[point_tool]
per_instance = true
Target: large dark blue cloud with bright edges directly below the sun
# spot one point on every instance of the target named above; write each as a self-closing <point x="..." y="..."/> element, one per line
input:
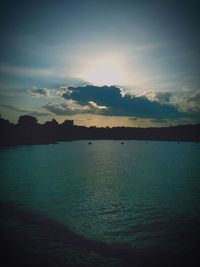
<point x="127" y="105"/>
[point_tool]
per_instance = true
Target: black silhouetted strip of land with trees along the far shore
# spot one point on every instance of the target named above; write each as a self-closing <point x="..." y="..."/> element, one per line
<point x="28" y="131"/>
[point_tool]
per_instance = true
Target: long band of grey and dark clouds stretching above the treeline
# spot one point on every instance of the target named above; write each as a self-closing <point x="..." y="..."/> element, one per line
<point x="112" y="101"/>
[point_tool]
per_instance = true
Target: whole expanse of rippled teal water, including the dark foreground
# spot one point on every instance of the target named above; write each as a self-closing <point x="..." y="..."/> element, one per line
<point x="108" y="203"/>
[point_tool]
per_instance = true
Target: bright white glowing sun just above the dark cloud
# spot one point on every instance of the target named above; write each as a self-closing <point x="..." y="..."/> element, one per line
<point x="103" y="71"/>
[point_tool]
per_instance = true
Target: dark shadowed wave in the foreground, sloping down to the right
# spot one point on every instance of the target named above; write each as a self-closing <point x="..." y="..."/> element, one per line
<point x="32" y="239"/>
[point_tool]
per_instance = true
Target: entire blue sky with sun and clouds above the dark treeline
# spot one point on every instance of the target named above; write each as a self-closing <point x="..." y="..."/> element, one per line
<point x="101" y="62"/>
